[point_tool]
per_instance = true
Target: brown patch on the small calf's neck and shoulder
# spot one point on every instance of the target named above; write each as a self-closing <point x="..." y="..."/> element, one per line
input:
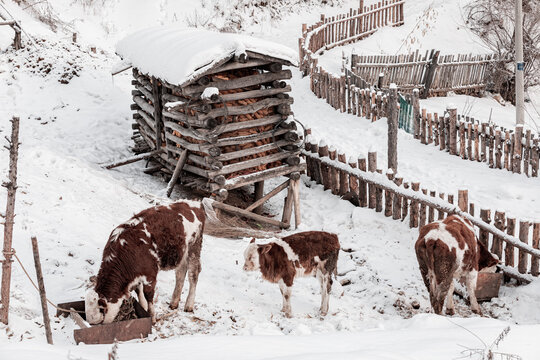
<point x="275" y="264"/>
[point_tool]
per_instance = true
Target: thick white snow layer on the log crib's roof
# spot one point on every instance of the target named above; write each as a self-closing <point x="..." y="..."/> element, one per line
<point x="178" y="55"/>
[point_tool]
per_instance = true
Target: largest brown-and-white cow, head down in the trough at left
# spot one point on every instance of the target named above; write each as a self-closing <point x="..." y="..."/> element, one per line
<point x="159" y="238"/>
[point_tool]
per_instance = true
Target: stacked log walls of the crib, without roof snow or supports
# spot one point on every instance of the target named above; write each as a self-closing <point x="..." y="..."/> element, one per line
<point x="234" y="121"/>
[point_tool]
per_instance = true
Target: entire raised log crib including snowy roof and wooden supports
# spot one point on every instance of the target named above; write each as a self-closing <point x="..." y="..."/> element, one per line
<point x="214" y="111"/>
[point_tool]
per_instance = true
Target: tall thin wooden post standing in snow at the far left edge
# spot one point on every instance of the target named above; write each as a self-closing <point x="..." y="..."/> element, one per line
<point x="7" y="252"/>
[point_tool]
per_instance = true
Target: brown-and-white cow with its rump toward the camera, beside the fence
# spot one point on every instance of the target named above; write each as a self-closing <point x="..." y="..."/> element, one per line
<point x="446" y="250"/>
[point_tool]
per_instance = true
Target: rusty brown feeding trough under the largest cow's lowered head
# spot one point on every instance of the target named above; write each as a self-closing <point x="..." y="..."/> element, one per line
<point x="108" y="333"/>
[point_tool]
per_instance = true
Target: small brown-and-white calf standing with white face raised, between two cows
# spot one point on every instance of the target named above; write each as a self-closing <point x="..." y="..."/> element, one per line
<point x="311" y="253"/>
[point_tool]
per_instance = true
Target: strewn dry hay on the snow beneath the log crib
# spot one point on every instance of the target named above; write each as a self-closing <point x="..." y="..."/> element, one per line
<point x="230" y="227"/>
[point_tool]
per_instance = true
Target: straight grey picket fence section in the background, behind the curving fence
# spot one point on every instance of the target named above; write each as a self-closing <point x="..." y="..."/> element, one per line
<point x="435" y="75"/>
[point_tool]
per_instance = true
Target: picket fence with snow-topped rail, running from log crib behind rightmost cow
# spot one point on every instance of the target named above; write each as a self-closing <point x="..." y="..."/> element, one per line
<point x="360" y="181"/>
